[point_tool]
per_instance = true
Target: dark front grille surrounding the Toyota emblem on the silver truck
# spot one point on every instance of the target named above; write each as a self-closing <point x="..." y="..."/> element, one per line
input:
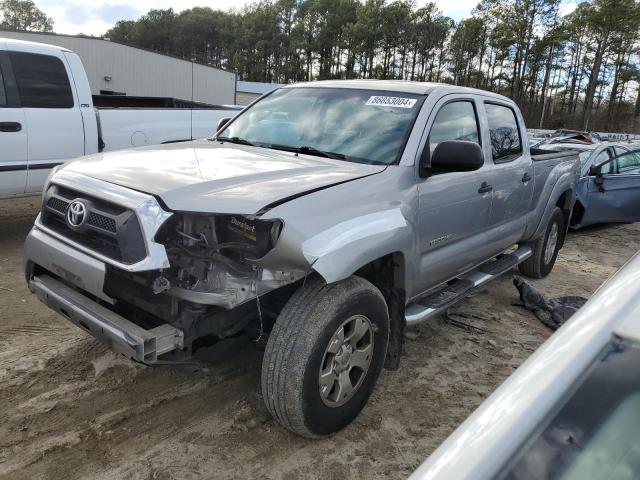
<point x="109" y="229"/>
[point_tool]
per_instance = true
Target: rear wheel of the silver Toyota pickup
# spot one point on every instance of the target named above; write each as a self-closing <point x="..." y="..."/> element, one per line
<point x="546" y="248"/>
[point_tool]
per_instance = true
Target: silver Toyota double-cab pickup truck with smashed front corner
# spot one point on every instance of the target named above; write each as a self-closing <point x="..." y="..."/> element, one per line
<point x="321" y="222"/>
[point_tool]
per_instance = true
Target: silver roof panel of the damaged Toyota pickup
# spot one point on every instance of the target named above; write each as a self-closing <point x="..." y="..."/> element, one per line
<point x="407" y="86"/>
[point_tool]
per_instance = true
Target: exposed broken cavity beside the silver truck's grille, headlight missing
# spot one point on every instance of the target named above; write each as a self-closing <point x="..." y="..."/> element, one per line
<point x="215" y="286"/>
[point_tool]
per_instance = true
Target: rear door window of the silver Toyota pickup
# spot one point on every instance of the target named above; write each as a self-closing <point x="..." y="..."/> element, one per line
<point x="506" y="144"/>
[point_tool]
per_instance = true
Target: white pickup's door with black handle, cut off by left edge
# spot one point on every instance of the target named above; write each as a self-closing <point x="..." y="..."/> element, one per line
<point x="13" y="133"/>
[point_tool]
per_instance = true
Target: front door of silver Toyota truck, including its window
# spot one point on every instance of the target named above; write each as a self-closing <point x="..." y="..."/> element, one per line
<point x="454" y="207"/>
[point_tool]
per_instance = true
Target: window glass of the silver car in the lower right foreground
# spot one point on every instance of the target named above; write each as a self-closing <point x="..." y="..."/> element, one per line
<point x="595" y="433"/>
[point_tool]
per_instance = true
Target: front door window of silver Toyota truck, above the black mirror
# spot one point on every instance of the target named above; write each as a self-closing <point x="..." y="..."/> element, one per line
<point x="454" y="121"/>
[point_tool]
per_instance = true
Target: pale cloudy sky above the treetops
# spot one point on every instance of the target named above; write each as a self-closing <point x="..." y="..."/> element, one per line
<point x="94" y="17"/>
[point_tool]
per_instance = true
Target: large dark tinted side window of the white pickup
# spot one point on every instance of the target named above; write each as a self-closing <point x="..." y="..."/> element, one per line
<point x="42" y="81"/>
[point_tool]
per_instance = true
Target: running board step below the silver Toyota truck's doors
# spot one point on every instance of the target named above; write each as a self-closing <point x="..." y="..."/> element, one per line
<point x="434" y="303"/>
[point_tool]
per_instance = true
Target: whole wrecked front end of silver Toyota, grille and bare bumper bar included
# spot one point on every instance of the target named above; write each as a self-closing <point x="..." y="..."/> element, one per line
<point x="151" y="282"/>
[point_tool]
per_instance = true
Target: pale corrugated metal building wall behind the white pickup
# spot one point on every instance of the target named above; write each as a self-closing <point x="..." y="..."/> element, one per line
<point x="139" y="72"/>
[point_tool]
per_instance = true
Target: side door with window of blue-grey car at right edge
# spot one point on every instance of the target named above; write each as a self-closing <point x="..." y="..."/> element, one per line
<point x="613" y="194"/>
